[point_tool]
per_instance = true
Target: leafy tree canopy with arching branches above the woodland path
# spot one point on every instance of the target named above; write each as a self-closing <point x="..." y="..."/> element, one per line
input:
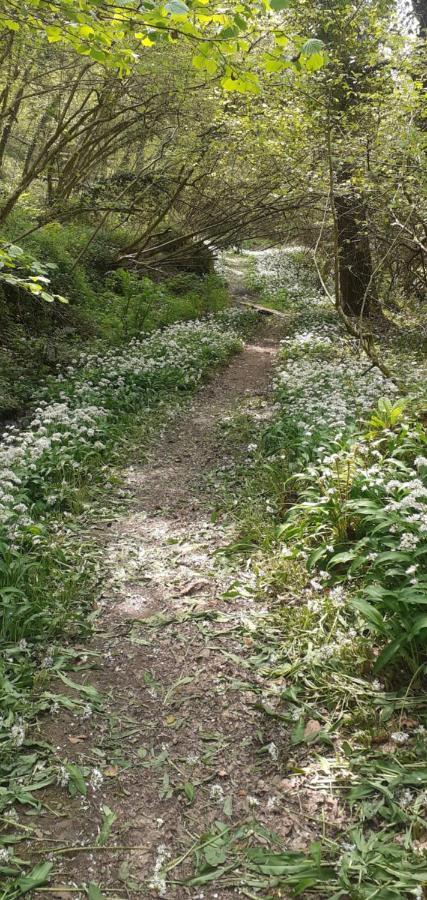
<point x="204" y="123"/>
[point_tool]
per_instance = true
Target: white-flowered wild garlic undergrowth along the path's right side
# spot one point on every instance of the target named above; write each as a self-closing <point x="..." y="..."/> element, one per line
<point x="332" y="517"/>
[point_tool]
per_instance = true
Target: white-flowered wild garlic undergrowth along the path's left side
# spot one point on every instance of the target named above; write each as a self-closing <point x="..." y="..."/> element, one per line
<point x="54" y="470"/>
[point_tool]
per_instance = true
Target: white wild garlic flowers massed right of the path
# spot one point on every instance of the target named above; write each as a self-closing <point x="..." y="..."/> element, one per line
<point x="328" y="390"/>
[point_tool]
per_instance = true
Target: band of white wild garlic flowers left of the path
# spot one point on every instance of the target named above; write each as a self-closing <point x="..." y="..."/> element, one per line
<point x="70" y="424"/>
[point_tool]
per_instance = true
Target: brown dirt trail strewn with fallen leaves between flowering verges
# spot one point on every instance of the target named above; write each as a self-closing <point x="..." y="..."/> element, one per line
<point x="179" y="747"/>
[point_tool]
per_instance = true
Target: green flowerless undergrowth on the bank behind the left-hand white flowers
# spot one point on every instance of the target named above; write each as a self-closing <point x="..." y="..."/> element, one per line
<point x="106" y="306"/>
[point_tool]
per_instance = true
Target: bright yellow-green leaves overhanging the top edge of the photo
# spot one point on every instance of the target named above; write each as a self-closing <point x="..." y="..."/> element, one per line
<point x="114" y="35"/>
